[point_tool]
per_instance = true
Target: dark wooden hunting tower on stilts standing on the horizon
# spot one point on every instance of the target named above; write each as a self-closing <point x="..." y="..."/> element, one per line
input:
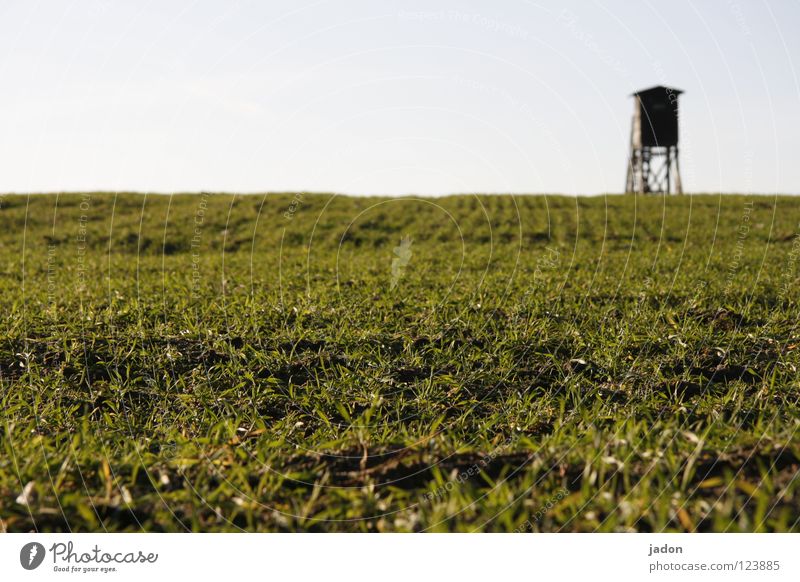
<point x="653" y="161"/>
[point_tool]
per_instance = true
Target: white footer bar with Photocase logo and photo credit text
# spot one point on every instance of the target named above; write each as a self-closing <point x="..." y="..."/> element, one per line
<point x="355" y="557"/>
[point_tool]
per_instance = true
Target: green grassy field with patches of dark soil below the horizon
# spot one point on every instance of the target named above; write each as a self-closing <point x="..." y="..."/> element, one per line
<point x="467" y="363"/>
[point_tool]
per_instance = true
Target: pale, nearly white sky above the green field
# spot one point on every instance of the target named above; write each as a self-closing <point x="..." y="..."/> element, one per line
<point x="392" y="98"/>
